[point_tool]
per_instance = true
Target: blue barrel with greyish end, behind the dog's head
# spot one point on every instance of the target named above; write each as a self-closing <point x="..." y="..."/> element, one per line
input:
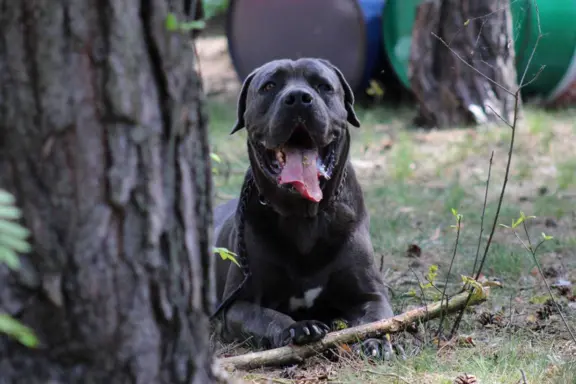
<point x="345" y="32"/>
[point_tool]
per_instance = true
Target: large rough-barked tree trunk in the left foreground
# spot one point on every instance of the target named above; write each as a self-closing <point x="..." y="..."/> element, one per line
<point x="103" y="140"/>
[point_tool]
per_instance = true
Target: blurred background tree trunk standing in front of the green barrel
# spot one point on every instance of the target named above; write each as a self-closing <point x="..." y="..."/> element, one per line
<point x="474" y="32"/>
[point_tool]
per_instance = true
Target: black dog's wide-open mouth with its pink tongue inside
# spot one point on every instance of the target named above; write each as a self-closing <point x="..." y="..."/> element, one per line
<point x="299" y="165"/>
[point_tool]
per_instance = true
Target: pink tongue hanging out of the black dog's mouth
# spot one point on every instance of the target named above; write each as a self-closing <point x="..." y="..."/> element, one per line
<point x="301" y="171"/>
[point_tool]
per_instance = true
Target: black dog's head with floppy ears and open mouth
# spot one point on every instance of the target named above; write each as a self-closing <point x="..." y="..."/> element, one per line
<point x="296" y="114"/>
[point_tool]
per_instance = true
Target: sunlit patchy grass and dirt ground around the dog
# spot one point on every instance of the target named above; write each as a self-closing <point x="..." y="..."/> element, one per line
<point x="412" y="180"/>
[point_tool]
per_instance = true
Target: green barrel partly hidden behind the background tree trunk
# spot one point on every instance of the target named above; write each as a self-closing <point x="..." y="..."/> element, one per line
<point x="556" y="49"/>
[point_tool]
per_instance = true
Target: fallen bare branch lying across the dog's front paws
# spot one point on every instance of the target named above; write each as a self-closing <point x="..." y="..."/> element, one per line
<point x="294" y="354"/>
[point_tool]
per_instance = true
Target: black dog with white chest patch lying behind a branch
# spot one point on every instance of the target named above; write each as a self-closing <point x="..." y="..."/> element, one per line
<point x="306" y="229"/>
